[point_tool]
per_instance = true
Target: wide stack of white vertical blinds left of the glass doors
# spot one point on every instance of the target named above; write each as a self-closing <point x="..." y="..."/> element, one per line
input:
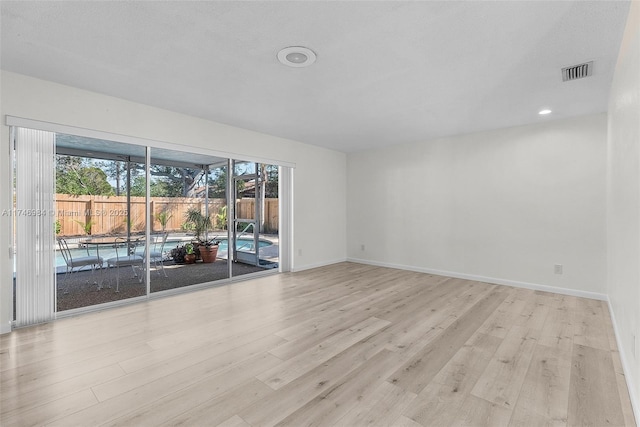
<point x="34" y="222"/>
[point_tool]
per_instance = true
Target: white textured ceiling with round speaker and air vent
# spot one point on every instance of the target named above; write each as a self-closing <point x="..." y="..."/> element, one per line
<point x="387" y="72"/>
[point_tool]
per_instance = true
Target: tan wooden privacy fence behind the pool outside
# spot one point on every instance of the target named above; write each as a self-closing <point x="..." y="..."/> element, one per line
<point x="108" y="214"/>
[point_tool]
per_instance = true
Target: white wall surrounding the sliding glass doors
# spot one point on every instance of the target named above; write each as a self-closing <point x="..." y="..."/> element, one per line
<point x="319" y="176"/>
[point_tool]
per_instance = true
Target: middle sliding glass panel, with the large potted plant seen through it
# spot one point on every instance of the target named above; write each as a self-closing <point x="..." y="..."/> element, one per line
<point x="188" y="201"/>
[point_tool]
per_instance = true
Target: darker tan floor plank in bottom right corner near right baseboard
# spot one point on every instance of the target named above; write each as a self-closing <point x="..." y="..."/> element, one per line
<point x="593" y="394"/>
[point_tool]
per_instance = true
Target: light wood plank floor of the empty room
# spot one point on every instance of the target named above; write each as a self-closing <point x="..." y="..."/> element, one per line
<point x="344" y="345"/>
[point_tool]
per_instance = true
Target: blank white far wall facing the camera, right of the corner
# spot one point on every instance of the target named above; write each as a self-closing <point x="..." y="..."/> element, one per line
<point x="504" y="206"/>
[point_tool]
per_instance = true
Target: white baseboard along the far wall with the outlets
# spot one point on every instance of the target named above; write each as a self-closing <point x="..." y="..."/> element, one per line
<point x="506" y="282"/>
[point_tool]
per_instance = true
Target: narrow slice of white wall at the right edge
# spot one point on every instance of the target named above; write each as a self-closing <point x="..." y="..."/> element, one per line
<point x="623" y="203"/>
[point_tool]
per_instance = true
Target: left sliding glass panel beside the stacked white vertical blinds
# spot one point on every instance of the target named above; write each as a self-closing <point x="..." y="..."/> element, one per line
<point x="101" y="215"/>
